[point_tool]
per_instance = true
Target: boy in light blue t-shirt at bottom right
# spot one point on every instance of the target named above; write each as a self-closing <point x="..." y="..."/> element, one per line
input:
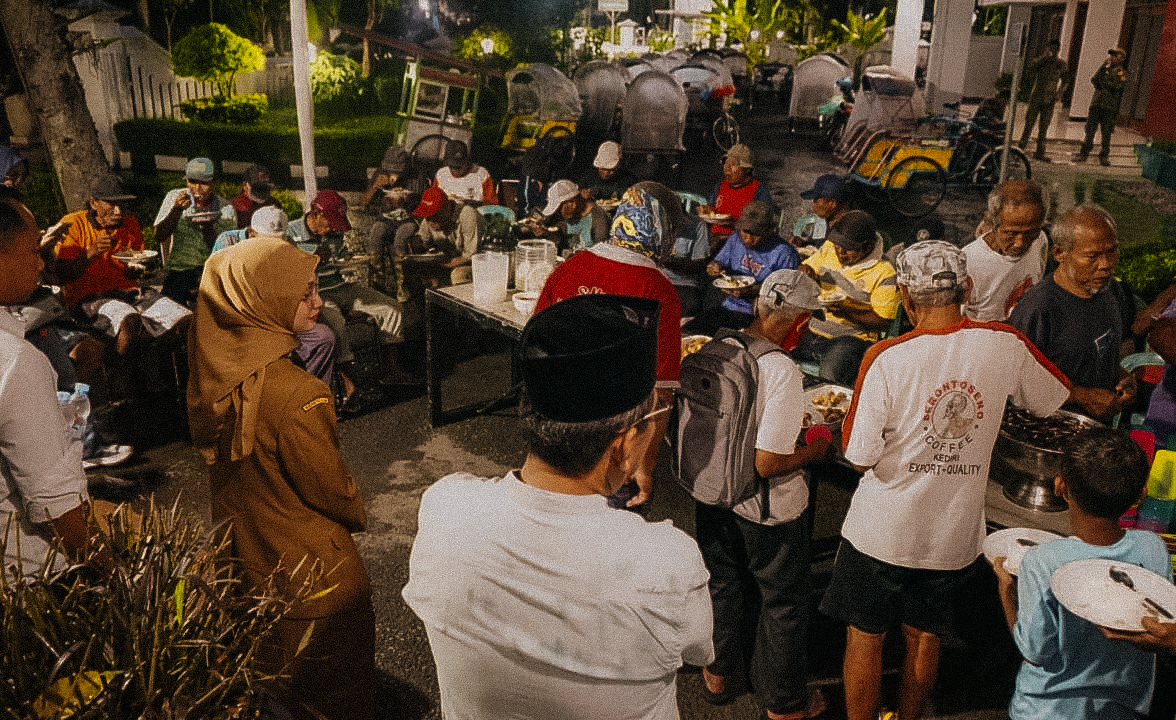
<point x="1071" y="669"/>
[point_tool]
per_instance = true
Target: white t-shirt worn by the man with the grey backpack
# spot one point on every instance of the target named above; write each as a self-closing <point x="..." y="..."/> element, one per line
<point x="780" y="411"/>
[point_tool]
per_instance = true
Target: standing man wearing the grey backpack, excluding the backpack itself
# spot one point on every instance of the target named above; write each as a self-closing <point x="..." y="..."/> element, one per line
<point x="769" y="548"/>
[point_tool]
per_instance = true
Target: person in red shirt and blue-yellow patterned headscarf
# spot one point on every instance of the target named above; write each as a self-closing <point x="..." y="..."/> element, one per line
<point x="626" y="266"/>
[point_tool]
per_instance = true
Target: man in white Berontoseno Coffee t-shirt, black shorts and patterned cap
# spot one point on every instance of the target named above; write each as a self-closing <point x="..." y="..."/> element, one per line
<point x="925" y="418"/>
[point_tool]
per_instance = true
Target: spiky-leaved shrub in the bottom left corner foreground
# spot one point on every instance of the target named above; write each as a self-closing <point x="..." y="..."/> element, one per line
<point x="172" y="632"/>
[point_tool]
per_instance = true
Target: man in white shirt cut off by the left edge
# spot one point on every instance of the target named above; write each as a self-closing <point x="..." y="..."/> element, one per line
<point x="44" y="491"/>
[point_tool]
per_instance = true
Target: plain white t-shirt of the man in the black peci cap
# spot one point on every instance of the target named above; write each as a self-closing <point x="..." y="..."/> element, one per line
<point x="542" y="605"/>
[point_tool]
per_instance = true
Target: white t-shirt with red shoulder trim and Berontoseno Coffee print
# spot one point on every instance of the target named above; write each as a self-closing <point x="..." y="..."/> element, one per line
<point x="924" y="421"/>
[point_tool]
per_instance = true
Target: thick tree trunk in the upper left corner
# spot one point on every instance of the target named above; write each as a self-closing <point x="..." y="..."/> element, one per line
<point x="43" y="57"/>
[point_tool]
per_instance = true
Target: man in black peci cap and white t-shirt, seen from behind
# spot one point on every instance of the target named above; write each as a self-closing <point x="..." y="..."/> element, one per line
<point x="539" y="599"/>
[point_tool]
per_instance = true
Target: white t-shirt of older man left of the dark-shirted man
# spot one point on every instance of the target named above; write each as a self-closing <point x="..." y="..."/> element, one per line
<point x="999" y="281"/>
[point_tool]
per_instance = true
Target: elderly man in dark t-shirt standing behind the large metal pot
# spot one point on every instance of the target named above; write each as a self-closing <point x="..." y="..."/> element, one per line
<point x="1077" y="316"/>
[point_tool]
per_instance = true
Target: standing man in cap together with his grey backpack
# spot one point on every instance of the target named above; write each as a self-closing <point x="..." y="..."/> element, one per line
<point x="740" y="414"/>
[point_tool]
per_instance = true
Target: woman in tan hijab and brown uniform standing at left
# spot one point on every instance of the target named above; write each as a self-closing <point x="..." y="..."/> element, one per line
<point x="268" y="430"/>
